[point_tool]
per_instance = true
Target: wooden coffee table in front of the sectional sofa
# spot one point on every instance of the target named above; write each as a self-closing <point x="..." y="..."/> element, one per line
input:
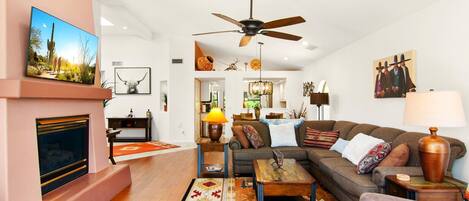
<point x="291" y="180"/>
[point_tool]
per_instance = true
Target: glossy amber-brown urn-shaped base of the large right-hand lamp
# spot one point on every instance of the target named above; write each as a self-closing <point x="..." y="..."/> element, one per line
<point x="434" y="154"/>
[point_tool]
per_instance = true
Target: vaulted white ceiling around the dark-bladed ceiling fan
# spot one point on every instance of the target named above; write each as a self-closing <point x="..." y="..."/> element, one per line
<point x="330" y="24"/>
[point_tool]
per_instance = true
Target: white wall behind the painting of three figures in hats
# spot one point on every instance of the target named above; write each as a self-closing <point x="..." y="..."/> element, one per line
<point x="439" y="34"/>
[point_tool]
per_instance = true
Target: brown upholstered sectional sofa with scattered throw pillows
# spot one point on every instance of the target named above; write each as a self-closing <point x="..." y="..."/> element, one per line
<point x="328" y="167"/>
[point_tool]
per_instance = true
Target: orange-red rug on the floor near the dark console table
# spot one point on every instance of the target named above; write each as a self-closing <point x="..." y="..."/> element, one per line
<point x="135" y="148"/>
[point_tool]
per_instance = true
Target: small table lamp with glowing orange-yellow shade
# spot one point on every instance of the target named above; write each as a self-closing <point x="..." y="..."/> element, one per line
<point x="215" y="120"/>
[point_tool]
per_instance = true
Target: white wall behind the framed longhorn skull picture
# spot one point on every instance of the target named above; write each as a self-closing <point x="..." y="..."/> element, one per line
<point x="136" y="52"/>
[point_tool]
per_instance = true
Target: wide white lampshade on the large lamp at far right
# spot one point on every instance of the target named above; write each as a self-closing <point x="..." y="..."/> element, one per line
<point x="434" y="109"/>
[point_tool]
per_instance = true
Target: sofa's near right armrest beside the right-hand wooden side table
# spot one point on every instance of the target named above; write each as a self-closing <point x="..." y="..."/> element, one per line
<point x="379" y="173"/>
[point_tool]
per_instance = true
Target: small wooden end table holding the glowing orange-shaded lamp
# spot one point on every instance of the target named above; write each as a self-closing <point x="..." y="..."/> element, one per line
<point x="206" y="145"/>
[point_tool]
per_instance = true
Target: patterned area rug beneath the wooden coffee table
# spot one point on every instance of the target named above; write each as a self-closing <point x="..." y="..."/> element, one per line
<point x="236" y="189"/>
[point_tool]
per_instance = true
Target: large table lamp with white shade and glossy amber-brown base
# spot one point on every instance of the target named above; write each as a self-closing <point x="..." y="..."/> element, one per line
<point x="434" y="109"/>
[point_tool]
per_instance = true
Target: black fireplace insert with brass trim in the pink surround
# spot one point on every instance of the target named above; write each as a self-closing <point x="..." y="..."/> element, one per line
<point x="63" y="150"/>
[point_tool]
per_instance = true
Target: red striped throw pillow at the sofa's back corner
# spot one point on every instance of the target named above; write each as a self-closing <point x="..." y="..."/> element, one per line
<point x="321" y="139"/>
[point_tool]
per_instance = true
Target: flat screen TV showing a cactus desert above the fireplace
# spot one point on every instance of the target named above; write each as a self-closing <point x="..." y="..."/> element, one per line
<point x="57" y="50"/>
